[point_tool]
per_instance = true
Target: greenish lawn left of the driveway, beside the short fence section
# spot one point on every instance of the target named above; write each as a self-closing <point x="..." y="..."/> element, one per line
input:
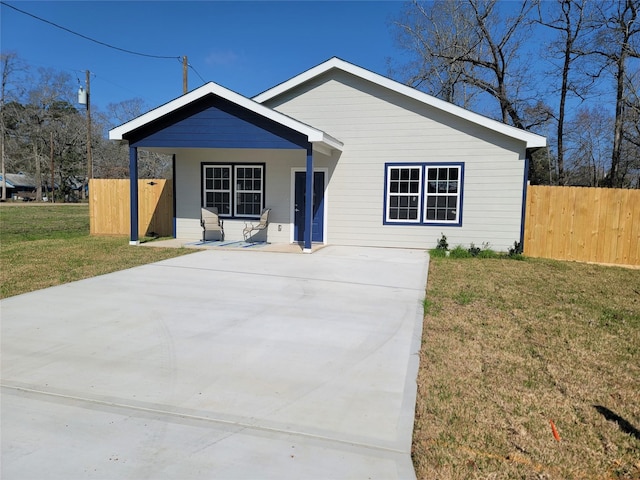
<point x="47" y="245"/>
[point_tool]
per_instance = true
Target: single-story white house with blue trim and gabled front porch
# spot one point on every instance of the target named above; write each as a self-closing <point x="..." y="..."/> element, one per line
<point x="342" y="156"/>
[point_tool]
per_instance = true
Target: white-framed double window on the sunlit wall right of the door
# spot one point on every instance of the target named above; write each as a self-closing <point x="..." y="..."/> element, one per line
<point x="423" y="194"/>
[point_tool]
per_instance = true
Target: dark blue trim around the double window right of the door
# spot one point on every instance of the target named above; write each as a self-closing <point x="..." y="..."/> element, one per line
<point x="423" y="166"/>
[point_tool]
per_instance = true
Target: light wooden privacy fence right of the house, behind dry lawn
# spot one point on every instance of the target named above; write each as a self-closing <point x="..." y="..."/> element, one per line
<point x="600" y="225"/>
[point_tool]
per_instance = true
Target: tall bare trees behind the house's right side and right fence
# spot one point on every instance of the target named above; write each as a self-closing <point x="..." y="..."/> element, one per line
<point x="566" y="69"/>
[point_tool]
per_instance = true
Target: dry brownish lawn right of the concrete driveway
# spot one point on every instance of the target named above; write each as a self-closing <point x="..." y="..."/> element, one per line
<point x="509" y="346"/>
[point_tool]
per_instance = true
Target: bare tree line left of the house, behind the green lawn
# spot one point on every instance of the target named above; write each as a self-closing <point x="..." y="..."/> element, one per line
<point x="44" y="132"/>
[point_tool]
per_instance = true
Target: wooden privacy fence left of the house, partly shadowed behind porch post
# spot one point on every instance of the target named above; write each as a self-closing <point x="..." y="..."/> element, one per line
<point x="109" y="209"/>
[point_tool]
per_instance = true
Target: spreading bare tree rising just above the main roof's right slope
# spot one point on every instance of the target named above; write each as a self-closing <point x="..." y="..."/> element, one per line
<point x="471" y="44"/>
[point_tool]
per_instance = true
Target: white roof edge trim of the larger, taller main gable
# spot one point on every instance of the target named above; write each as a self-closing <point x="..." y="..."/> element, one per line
<point x="531" y="139"/>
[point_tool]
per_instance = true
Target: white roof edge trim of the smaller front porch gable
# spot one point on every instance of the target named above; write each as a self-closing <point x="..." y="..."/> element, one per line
<point x="314" y="136"/>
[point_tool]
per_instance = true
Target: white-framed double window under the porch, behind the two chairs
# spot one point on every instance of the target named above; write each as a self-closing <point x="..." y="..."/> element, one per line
<point x="235" y="190"/>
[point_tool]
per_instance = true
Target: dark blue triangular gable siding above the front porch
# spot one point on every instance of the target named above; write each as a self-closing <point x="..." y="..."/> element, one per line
<point x="214" y="122"/>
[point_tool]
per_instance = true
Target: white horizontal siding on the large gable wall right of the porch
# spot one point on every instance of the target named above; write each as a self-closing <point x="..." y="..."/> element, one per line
<point x="378" y="126"/>
